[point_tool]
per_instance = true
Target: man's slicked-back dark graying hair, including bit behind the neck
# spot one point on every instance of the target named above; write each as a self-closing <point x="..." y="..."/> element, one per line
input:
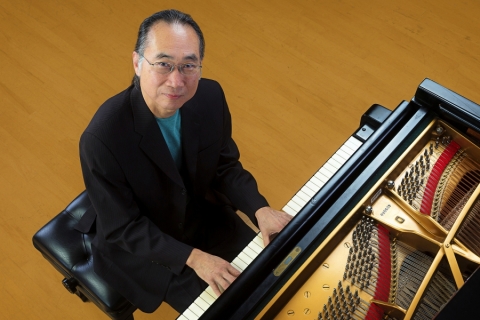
<point x="171" y="17"/>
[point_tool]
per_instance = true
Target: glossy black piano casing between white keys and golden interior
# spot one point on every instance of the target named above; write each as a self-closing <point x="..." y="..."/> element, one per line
<point x="386" y="135"/>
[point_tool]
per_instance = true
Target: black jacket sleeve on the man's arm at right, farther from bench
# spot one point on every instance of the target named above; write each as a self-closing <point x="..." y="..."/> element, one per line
<point x="235" y="182"/>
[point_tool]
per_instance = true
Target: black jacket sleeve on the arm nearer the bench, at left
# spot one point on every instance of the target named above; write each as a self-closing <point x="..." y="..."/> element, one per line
<point x="119" y="220"/>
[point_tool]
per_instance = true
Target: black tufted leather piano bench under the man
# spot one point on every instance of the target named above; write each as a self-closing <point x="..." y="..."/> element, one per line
<point x="69" y="251"/>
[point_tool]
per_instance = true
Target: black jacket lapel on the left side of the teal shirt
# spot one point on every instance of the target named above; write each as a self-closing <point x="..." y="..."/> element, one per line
<point x="152" y="143"/>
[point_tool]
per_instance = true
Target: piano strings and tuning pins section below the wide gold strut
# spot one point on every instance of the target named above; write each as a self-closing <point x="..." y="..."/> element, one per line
<point x="380" y="266"/>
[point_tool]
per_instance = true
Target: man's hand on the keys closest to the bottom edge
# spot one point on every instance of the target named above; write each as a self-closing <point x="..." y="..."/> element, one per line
<point x="215" y="271"/>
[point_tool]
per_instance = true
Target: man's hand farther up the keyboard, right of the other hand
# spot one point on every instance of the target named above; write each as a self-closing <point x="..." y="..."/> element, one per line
<point x="271" y="221"/>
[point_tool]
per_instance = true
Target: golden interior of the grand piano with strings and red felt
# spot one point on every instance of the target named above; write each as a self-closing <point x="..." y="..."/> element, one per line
<point x="383" y="274"/>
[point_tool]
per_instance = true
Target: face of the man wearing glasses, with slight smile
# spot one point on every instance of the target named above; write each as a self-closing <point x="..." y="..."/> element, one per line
<point x="175" y="44"/>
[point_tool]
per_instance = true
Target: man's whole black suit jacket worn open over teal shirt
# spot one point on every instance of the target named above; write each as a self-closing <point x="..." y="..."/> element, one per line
<point x="140" y="197"/>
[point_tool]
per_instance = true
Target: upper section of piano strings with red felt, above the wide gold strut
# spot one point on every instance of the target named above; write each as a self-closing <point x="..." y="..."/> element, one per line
<point x="439" y="183"/>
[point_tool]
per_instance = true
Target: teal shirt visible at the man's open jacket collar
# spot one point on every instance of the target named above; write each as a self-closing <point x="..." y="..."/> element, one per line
<point x="171" y="130"/>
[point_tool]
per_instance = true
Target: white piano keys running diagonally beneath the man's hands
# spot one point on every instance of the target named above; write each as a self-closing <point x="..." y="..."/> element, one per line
<point x="298" y="201"/>
